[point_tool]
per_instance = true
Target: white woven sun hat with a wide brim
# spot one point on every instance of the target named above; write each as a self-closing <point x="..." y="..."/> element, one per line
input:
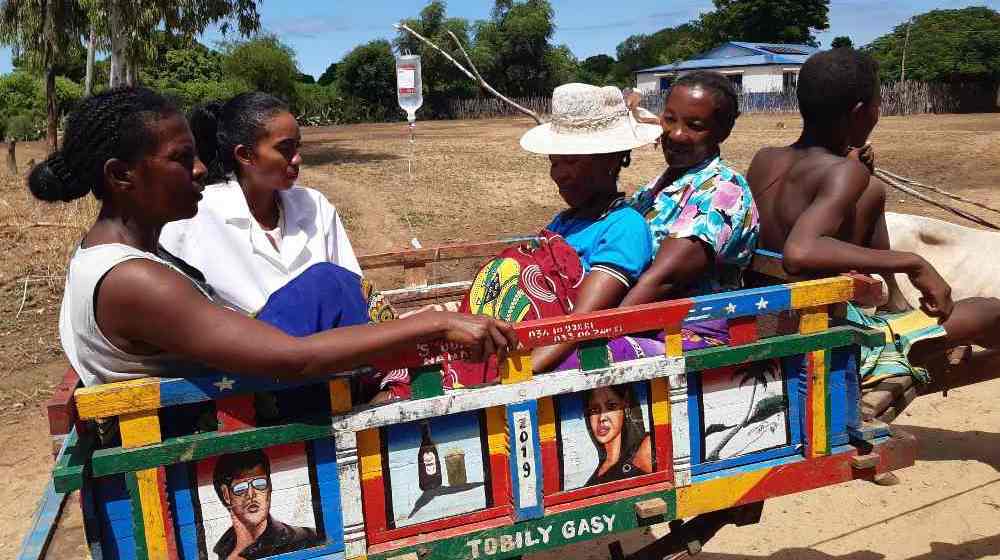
<point x="589" y="120"/>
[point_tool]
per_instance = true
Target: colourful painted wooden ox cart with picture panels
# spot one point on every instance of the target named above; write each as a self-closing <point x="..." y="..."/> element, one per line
<point x="496" y="471"/>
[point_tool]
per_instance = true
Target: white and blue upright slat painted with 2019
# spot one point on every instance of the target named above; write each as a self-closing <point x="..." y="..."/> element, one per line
<point x="525" y="460"/>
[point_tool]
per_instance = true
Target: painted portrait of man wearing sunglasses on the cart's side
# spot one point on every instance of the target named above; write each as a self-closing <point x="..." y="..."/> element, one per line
<point x="243" y="484"/>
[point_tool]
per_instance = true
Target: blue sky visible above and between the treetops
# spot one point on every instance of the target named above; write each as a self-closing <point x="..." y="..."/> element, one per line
<point x="322" y="31"/>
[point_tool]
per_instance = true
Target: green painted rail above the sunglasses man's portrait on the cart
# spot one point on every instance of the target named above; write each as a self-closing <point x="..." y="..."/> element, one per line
<point x="199" y="446"/>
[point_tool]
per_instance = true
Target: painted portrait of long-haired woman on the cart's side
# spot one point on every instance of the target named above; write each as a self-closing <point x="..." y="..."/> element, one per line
<point x="614" y="420"/>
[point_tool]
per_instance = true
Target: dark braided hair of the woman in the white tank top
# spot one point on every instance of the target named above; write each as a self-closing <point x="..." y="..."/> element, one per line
<point x="110" y="125"/>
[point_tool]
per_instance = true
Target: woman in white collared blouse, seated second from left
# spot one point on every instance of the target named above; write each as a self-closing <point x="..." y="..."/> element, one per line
<point x="255" y="229"/>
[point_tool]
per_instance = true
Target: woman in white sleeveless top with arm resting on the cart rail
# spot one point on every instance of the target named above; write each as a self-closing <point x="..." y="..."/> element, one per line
<point x="128" y="311"/>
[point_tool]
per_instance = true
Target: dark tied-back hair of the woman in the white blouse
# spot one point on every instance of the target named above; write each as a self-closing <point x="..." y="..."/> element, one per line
<point x="219" y="127"/>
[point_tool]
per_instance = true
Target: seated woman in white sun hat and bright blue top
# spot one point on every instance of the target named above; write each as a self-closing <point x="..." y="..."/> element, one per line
<point x="588" y="140"/>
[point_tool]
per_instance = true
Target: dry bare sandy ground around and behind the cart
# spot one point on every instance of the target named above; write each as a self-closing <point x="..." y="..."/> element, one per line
<point x="471" y="181"/>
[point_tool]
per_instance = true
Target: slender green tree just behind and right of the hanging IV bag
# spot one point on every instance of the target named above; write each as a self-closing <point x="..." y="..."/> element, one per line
<point x="442" y="81"/>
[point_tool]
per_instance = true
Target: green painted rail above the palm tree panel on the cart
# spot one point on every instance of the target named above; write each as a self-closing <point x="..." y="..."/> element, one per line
<point x="775" y="347"/>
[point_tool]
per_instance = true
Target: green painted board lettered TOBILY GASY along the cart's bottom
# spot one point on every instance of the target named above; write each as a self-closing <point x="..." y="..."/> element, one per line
<point x="549" y="532"/>
